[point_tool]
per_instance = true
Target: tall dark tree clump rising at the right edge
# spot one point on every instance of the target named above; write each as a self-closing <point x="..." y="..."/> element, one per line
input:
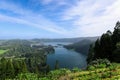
<point x="108" y="46"/>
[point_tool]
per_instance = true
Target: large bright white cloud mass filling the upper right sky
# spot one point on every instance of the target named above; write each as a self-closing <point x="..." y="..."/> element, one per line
<point x="92" y="18"/>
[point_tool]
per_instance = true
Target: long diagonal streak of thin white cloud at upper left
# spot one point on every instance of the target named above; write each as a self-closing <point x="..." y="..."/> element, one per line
<point x="29" y="18"/>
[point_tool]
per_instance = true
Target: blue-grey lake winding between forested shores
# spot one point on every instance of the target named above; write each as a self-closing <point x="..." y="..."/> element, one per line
<point x="67" y="58"/>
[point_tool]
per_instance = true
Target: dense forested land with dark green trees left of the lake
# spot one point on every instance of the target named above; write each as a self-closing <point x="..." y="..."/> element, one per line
<point x="18" y="56"/>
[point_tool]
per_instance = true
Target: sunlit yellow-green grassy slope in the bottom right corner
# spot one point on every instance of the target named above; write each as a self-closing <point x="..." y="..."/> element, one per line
<point x="97" y="74"/>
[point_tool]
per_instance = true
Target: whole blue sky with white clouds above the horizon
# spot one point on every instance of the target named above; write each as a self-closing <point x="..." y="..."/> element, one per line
<point x="28" y="19"/>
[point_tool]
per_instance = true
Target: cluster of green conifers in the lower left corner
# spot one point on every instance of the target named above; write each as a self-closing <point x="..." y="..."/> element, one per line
<point x="9" y="68"/>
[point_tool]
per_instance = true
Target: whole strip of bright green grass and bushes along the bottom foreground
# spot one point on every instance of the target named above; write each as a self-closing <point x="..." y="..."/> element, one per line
<point x="101" y="72"/>
